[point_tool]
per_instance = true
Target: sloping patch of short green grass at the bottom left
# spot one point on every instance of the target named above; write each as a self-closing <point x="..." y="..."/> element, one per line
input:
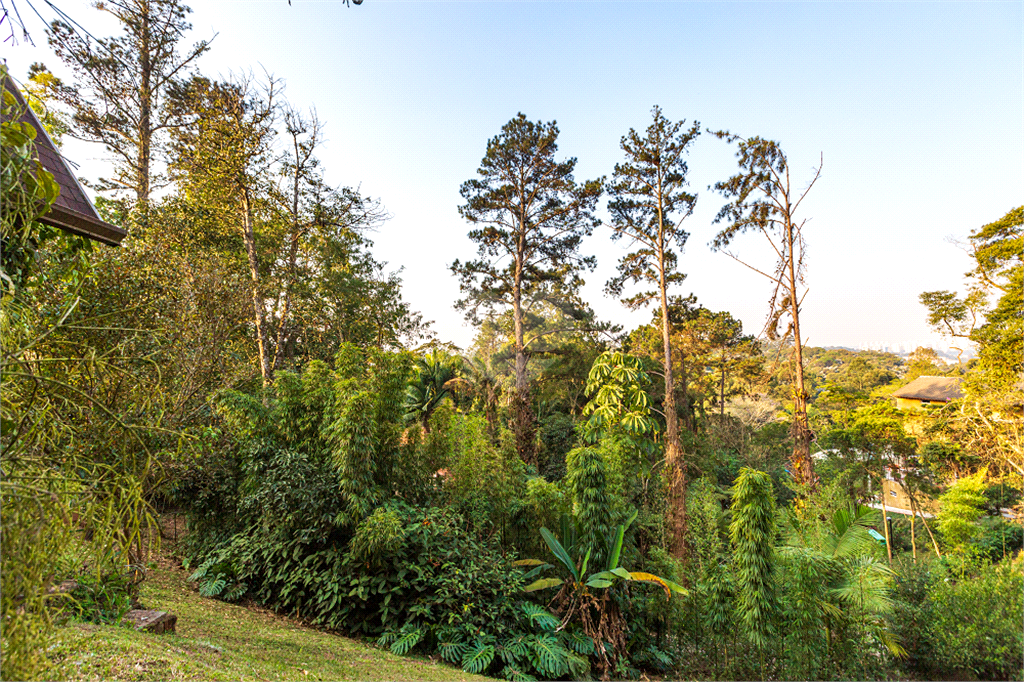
<point x="221" y="642"/>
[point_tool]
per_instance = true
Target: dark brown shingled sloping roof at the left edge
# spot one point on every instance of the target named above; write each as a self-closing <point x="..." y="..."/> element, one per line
<point x="72" y="211"/>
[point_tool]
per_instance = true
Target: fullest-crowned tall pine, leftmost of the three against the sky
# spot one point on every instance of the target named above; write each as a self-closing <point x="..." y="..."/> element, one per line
<point x="530" y="217"/>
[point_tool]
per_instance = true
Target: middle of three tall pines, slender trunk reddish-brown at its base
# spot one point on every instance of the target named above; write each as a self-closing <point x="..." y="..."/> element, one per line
<point x="649" y="206"/>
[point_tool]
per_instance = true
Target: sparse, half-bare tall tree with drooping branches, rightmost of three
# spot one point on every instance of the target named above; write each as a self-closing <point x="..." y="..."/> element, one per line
<point x="763" y="198"/>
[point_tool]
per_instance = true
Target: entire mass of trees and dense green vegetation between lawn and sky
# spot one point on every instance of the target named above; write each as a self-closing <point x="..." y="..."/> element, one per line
<point x="243" y="361"/>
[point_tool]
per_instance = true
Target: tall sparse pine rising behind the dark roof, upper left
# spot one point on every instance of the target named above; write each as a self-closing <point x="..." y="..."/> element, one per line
<point x="123" y="86"/>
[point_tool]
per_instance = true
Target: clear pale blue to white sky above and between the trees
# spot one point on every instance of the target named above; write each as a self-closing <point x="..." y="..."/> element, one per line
<point x="918" y="109"/>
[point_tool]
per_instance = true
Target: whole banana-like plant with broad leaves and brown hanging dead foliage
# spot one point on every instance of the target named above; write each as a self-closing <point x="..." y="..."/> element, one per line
<point x="586" y="600"/>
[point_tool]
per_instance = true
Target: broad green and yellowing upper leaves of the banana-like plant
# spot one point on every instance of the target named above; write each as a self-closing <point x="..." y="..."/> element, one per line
<point x="578" y="577"/>
